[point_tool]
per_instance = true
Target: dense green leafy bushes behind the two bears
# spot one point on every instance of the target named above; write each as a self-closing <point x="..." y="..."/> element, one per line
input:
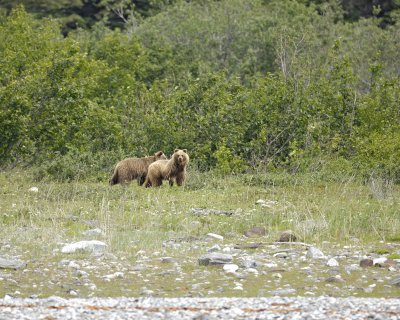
<point x="241" y="84"/>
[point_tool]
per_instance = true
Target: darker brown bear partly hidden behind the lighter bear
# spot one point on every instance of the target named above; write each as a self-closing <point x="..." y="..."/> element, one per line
<point x="134" y="168"/>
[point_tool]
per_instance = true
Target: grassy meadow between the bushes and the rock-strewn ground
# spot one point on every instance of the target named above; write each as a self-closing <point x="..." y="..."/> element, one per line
<point x="136" y="220"/>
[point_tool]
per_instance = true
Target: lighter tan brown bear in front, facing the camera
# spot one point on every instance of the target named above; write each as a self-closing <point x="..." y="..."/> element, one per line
<point x="175" y="168"/>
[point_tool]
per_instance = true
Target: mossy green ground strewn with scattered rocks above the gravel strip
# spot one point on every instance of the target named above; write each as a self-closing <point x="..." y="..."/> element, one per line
<point x="204" y="266"/>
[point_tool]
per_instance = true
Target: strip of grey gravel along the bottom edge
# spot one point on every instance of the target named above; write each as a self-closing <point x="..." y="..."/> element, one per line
<point x="200" y="308"/>
